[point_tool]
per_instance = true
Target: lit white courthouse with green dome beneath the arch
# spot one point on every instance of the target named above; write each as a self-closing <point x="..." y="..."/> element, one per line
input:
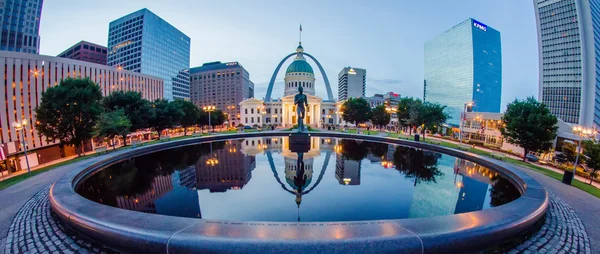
<point x="281" y="112"/>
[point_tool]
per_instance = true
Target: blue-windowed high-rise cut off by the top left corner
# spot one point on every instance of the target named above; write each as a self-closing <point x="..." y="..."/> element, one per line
<point x="20" y="21"/>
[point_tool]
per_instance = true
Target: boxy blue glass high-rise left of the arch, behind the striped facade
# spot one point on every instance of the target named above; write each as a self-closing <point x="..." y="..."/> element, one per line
<point x="143" y="42"/>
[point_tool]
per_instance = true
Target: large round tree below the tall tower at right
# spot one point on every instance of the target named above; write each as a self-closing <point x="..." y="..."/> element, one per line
<point x="529" y="124"/>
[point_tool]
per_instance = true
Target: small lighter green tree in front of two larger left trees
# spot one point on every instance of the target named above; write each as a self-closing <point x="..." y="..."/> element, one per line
<point x="113" y="124"/>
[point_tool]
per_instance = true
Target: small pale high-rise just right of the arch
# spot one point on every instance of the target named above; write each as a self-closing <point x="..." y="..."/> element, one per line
<point x="352" y="83"/>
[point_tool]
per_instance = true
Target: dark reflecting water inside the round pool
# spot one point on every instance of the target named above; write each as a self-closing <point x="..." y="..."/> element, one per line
<point x="261" y="179"/>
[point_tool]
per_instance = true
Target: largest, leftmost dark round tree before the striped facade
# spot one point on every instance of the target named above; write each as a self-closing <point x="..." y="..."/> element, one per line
<point x="69" y="112"/>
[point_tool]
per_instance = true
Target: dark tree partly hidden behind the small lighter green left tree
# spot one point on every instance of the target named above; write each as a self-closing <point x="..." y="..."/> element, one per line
<point x="136" y="108"/>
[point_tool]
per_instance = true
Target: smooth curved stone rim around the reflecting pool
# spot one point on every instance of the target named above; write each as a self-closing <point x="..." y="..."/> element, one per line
<point x="133" y="231"/>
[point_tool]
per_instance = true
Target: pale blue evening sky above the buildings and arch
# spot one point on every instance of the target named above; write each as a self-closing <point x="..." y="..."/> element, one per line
<point x="384" y="37"/>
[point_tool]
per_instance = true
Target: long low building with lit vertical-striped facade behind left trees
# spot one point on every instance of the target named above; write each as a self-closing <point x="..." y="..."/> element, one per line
<point x="26" y="76"/>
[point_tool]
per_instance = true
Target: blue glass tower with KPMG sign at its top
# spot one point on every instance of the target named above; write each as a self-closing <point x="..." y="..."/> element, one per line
<point x="464" y="64"/>
